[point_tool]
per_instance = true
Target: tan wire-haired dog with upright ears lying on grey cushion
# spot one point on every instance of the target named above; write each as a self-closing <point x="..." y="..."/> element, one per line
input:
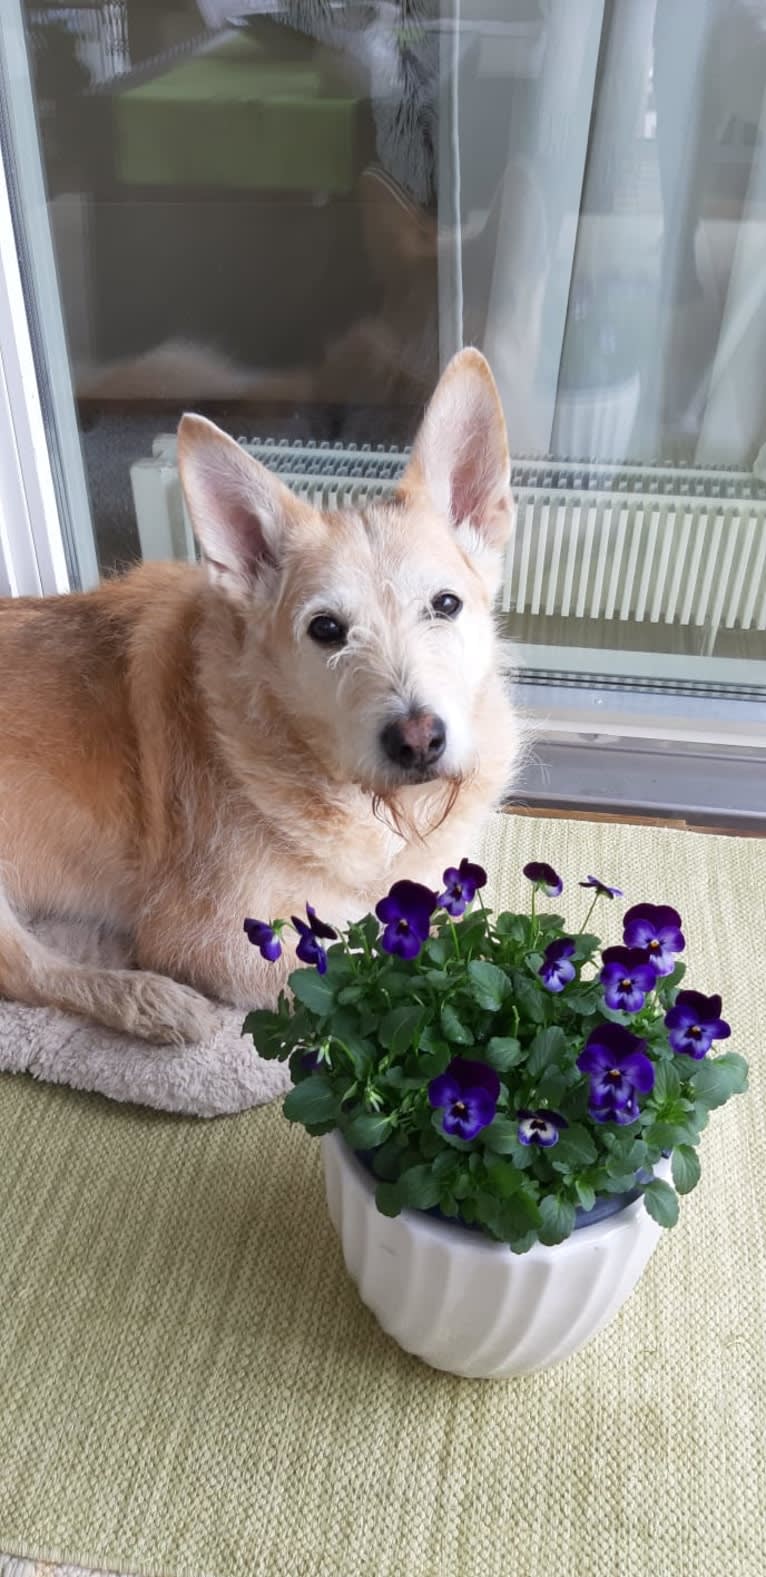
<point x="313" y="714"/>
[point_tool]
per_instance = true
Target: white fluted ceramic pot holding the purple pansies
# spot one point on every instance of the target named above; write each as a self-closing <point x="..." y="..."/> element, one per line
<point x="467" y="1305"/>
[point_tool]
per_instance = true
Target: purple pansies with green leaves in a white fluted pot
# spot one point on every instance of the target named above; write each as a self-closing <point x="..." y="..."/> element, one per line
<point x="508" y="1111"/>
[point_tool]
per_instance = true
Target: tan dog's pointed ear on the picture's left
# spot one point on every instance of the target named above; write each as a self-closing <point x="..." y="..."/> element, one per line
<point x="239" y="510"/>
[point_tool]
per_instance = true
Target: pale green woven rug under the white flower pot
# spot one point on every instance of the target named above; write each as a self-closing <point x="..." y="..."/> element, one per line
<point x="188" y="1384"/>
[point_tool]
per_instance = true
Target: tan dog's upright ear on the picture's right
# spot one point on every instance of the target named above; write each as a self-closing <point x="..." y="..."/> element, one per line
<point x="461" y="460"/>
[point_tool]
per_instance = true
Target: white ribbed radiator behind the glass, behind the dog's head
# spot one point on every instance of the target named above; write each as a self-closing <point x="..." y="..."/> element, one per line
<point x="656" y="545"/>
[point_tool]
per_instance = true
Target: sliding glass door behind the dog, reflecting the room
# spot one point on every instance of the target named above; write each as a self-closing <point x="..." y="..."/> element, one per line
<point x="291" y="215"/>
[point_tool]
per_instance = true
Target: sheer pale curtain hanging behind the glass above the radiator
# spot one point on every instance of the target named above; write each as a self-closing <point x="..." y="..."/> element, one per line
<point x="630" y="234"/>
